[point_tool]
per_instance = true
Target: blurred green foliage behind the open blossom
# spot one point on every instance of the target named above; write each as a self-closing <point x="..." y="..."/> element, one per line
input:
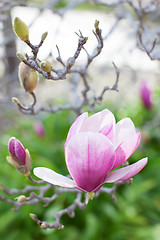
<point x="135" y="215"/>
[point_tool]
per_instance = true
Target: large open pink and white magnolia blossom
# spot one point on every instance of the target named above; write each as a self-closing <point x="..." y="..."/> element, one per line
<point x="94" y="147"/>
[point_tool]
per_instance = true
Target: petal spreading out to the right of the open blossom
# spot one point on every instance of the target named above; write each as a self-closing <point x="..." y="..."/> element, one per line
<point x="126" y="172"/>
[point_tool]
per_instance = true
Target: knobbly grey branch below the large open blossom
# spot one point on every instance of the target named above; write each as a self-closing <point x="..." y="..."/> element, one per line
<point x="31" y="198"/>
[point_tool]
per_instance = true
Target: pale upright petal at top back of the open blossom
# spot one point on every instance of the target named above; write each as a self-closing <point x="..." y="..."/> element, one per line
<point x="98" y="121"/>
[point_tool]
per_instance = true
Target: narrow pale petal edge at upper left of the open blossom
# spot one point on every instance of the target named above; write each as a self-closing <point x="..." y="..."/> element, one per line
<point x="76" y="126"/>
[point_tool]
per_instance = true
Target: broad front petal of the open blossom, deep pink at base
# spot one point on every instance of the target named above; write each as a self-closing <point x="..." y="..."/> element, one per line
<point x="89" y="158"/>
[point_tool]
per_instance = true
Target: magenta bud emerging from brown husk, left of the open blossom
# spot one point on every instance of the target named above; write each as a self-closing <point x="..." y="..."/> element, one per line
<point x="19" y="156"/>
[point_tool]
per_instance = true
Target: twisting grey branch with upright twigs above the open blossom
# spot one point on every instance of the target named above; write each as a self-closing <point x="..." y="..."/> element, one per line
<point x="82" y="71"/>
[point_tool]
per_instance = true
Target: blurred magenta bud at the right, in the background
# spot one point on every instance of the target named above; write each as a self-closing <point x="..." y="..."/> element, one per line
<point x="146" y="93"/>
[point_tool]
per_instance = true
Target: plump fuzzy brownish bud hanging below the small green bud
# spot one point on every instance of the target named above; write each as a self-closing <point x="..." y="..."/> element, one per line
<point x="28" y="77"/>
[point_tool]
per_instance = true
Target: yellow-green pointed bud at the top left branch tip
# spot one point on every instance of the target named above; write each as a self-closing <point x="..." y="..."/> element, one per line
<point x="21" y="29"/>
